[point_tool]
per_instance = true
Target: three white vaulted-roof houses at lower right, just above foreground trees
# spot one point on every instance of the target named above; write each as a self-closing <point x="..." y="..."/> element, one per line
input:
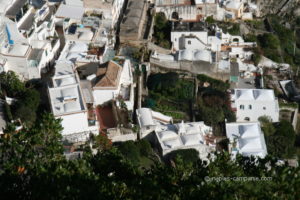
<point x="245" y="135"/>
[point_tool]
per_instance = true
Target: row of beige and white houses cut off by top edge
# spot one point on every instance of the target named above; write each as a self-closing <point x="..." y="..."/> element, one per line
<point x="195" y="10"/>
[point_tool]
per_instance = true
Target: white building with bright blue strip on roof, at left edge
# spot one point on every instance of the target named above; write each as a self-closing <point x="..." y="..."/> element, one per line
<point x="28" y="61"/>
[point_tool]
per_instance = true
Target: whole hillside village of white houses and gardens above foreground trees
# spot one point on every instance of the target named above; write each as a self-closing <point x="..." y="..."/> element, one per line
<point x="179" y="75"/>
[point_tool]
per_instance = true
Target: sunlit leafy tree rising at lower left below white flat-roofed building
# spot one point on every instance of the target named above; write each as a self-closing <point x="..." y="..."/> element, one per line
<point x="30" y="148"/>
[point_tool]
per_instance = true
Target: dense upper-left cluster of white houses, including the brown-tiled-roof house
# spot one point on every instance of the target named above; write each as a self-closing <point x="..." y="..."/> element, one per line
<point x="73" y="42"/>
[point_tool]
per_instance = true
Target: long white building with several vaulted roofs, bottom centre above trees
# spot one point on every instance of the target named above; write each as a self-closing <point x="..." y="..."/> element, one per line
<point x="171" y="137"/>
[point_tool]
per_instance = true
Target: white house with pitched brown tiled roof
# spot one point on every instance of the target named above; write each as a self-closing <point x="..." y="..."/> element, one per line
<point x="112" y="80"/>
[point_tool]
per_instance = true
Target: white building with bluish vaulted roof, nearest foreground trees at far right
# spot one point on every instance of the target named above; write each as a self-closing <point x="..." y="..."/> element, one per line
<point x="246" y="139"/>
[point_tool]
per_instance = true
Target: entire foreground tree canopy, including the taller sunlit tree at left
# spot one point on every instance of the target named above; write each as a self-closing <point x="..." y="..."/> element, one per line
<point x="32" y="166"/>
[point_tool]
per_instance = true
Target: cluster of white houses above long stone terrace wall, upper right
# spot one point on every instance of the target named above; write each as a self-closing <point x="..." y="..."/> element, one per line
<point x="201" y="48"/>
